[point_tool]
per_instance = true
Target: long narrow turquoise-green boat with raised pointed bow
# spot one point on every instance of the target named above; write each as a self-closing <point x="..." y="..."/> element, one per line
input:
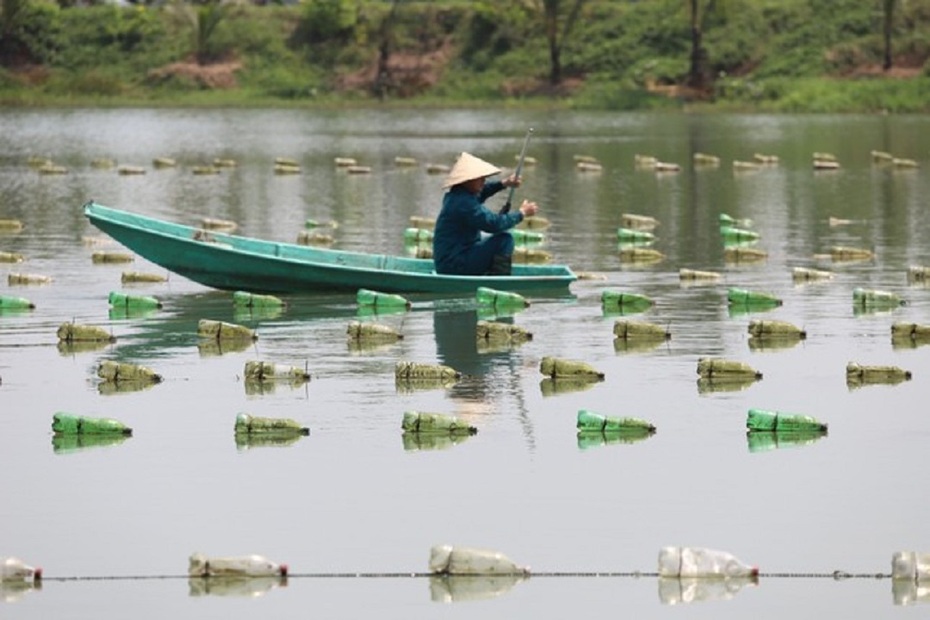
<point x="231" y="262"/>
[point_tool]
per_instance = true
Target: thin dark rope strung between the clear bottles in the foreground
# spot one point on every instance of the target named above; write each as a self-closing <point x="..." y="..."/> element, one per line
<point x="837" y="575"/>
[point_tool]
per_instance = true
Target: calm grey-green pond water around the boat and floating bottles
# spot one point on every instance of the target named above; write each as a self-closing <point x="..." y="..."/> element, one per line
<point x="113" y="525"/>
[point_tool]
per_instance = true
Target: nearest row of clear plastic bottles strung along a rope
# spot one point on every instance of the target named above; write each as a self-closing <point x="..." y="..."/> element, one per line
<point x="460" y="573"/>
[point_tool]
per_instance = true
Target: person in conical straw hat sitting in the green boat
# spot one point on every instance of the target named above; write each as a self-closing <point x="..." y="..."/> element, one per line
<point x="458" y="244"/>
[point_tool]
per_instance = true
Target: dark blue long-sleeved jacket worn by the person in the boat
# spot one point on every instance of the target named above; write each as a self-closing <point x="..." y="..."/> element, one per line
<point x="461" y="221"/>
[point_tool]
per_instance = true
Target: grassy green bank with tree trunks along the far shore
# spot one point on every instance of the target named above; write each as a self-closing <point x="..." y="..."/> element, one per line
<point x="791" y="56"/>
